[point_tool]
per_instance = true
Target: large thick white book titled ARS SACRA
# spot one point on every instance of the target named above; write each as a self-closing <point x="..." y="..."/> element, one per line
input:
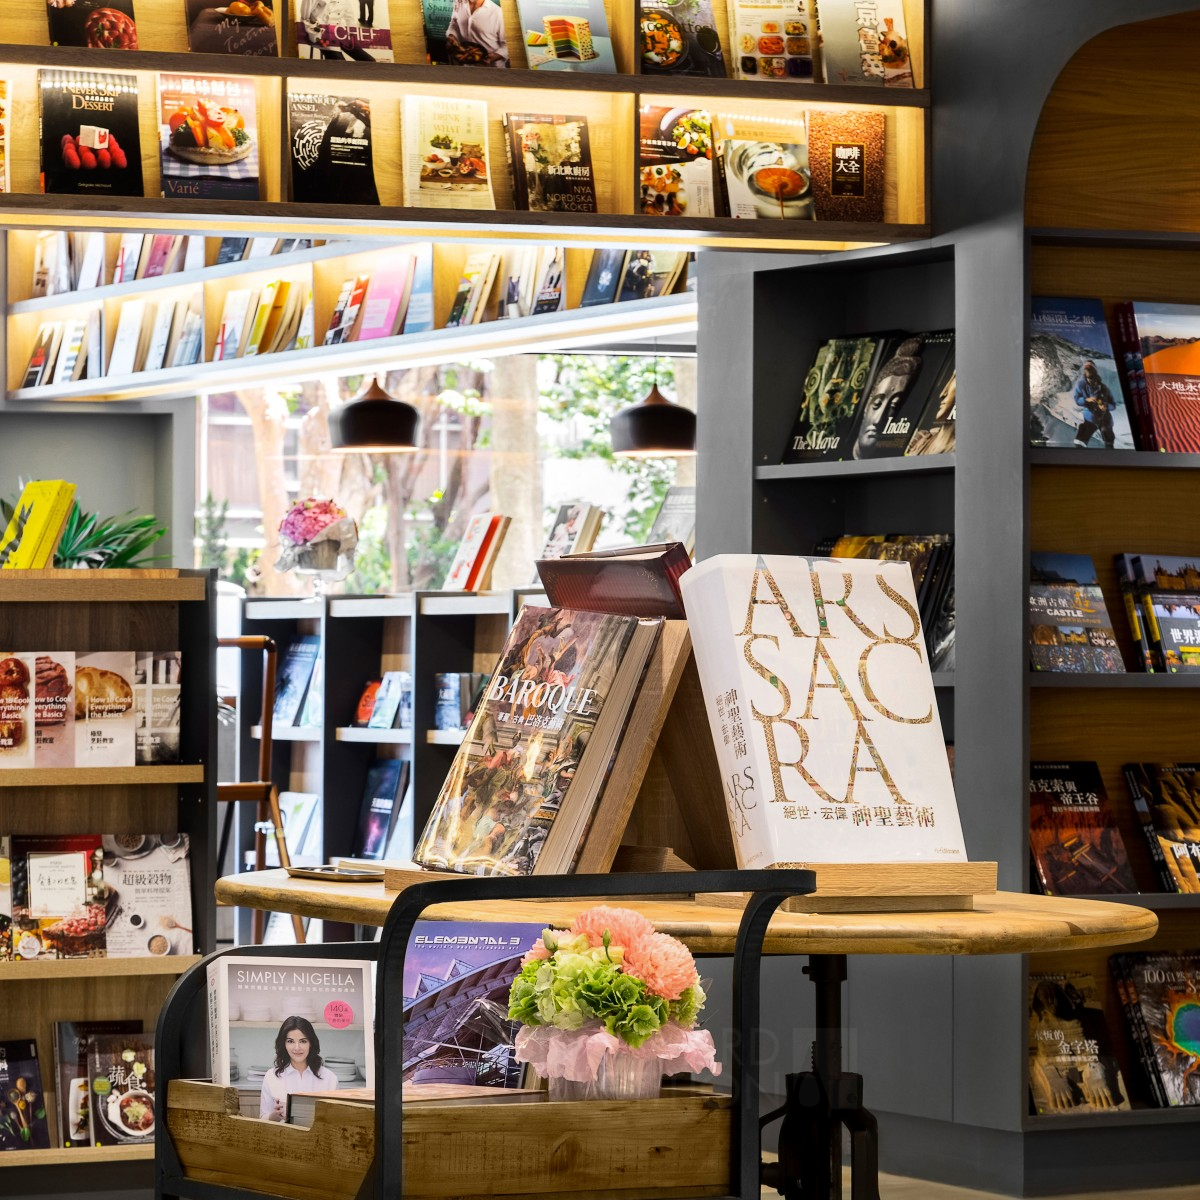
<point x="823" y="710"/>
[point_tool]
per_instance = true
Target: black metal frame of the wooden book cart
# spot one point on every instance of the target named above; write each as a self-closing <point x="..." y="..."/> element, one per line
<point x="181" y="1054"/>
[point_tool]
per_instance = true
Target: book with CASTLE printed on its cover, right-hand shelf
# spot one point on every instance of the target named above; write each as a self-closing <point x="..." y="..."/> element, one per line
<point x="1070" y="625"/>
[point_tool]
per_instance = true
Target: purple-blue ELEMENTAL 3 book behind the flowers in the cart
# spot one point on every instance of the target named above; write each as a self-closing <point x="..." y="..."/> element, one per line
<point x="457" y="1001"/>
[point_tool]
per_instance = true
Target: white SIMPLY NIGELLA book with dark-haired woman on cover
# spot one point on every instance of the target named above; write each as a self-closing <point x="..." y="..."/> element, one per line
<point x="275" y="1017"/>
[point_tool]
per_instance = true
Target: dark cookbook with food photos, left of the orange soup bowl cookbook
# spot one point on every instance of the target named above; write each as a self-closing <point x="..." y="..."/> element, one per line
<point x="676" y="165"/>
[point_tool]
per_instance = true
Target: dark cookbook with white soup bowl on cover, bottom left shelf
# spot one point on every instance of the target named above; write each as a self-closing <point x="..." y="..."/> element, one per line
<point x="121" y="1072"/>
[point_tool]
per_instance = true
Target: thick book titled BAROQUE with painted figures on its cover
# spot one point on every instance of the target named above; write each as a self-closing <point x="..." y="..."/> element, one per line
<point x="526" y="779"/>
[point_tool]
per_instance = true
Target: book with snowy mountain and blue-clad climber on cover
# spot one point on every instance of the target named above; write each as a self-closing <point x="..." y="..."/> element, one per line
<point x="1076" y="398"/>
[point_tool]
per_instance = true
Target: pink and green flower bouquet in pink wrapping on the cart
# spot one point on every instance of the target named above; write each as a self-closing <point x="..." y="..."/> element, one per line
<point x="609" y="1007"/>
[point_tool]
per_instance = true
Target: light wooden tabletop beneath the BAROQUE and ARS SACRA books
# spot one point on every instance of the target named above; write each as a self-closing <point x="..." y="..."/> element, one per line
<point x="1004" y="923"/>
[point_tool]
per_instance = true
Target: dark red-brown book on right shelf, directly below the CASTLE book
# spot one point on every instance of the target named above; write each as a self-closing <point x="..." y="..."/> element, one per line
<point x="1077" y="847"/>
